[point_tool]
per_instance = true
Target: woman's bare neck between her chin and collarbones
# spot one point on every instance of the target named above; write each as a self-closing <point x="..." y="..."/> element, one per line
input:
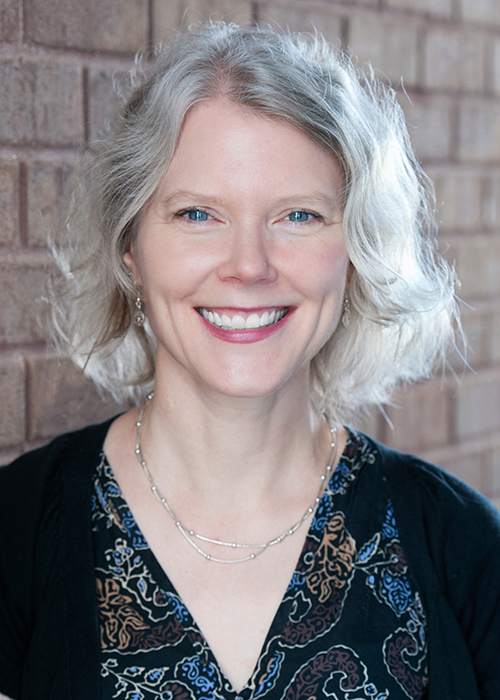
<point x="215" y="445"/>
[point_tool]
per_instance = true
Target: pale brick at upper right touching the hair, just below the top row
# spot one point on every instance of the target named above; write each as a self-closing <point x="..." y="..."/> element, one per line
<point x="391" y="47"/>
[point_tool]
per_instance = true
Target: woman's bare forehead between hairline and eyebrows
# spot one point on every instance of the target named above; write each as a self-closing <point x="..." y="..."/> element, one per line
<point x="228" y="147"/>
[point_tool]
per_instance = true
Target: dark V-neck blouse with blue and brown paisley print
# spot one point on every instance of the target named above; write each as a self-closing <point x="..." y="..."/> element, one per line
<point x="351" y="625"/>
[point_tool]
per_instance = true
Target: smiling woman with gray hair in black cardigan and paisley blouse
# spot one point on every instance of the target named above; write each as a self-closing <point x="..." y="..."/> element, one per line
<point x="258" y="241"/>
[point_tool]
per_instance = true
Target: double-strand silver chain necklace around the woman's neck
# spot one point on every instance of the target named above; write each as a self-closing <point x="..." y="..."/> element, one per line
<point x="191" y="536"/>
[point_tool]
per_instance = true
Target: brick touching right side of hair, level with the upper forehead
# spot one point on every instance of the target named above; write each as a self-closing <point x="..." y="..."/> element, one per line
<point x="429" y="125"/>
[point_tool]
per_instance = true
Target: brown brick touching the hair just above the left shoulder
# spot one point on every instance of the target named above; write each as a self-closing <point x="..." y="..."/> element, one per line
<point x="62" y="399"/>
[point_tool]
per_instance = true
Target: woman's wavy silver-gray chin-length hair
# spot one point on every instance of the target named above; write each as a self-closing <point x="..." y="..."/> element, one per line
<point x="402" y="293"/>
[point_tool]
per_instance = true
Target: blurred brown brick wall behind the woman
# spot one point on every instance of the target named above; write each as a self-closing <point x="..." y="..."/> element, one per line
<point x="59" y="61"/>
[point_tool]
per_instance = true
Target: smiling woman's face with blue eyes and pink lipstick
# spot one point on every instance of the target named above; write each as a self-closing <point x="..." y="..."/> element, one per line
<point x="241" y="253"/>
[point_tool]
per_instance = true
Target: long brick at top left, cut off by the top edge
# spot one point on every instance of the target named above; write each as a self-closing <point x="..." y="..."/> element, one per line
<point x="113" y="25"/>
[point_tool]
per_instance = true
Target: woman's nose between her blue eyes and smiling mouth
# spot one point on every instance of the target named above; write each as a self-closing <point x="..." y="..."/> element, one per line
<point x="248" y="256"/>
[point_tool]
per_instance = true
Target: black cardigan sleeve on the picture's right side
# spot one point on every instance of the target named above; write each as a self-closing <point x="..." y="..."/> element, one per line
<point x="454" y="535"/>
